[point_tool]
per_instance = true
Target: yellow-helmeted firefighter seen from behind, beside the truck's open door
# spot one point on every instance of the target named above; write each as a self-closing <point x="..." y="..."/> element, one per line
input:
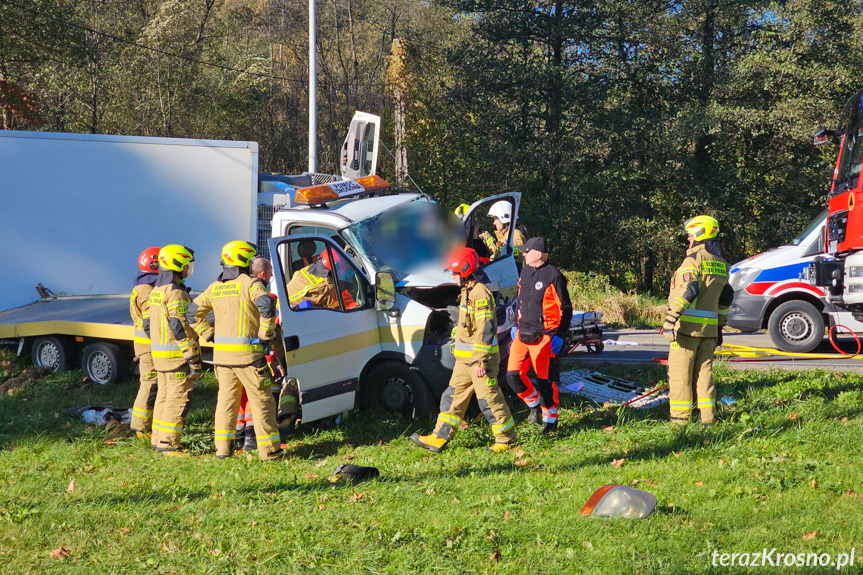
<point x="244" y="323"/>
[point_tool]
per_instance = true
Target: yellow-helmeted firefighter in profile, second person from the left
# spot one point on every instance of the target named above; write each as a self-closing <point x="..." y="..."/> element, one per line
<point x="174" y="345"/>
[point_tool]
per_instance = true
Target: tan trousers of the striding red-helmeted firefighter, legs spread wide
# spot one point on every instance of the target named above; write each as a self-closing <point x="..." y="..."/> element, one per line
<point x="455" y="399"/>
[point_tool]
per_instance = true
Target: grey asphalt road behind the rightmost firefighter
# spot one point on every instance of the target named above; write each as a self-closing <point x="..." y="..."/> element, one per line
<point x="651" y="344"/>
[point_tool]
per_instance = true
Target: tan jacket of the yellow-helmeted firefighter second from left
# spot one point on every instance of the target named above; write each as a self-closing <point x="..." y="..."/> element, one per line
<point x="172" y="340"/>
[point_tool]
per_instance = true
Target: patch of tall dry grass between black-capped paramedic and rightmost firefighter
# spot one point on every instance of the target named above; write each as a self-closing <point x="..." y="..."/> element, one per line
<point x="594" y="292"/>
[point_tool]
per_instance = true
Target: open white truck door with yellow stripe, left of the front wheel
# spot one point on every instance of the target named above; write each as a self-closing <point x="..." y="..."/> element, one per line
<point x="329" y="322"/>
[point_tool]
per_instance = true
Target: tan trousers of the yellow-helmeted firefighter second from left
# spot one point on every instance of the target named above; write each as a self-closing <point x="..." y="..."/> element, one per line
<point x="172" y="402"/>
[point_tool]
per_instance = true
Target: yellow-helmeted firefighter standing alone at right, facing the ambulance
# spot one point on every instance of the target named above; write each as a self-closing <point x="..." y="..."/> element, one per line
<point x="698" y="305"/>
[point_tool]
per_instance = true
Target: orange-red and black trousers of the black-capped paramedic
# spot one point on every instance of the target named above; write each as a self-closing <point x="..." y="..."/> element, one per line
<point x="545" y="394"/>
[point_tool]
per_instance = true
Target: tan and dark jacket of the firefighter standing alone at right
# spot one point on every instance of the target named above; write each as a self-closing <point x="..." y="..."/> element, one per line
<point x="700" y="296"/>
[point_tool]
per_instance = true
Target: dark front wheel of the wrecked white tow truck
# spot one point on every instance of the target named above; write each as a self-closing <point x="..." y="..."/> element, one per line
<point x="396" y="387"/>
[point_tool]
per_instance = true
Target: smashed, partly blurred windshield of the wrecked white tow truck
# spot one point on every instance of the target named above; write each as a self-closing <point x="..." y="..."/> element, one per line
<point x="406" y="239"/>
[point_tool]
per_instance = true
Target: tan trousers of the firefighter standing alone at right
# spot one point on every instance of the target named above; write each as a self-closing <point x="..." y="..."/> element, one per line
<point x="690" y="378"/>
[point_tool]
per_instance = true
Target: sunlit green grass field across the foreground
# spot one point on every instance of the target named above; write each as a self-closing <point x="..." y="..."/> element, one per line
<point x="781" y="470"/>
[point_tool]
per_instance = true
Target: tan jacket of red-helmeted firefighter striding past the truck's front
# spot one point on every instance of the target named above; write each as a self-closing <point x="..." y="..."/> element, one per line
<point x="476" y="331"/>
